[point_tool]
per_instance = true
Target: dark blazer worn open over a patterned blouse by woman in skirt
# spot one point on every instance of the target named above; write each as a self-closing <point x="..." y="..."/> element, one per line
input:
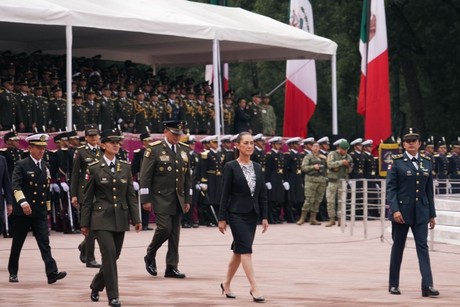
<point x="236" y="196"/>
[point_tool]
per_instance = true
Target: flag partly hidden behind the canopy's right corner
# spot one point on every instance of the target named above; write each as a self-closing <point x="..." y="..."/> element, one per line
<point x="300" y="96"/>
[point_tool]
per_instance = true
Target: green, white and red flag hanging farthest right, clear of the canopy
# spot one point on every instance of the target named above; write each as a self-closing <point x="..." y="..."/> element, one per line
<point x="374" y="90"/>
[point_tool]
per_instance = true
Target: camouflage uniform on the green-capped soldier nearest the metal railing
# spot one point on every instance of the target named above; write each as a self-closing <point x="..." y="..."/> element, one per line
<point x="335" y="172"/>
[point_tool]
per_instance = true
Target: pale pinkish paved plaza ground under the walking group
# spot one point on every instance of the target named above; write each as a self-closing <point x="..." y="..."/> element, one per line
<point x="295" y="266"/>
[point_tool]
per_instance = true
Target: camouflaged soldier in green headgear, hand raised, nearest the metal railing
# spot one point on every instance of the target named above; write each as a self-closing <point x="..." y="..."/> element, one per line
<point x="339" y="165"/>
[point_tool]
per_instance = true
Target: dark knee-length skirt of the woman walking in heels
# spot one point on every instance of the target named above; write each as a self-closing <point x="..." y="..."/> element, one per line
<point x="243" y="227"/>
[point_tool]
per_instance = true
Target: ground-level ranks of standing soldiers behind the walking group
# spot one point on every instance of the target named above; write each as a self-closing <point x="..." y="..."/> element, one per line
<point x="302" y="181"/>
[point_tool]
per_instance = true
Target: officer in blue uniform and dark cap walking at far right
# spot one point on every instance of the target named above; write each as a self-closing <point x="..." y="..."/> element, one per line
<point x="410" y="195"/>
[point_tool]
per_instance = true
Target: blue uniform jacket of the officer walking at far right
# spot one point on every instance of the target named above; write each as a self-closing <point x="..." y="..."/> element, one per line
<point x="410" y="191"/>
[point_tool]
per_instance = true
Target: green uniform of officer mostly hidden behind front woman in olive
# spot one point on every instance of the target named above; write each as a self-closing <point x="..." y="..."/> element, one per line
<point x="83" y="156"/>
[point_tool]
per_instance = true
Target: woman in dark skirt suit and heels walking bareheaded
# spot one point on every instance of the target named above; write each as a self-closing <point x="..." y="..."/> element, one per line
<point x="244" y="200"/>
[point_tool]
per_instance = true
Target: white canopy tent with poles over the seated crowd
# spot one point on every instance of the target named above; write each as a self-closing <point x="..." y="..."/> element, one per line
<point x="160" y="32"/>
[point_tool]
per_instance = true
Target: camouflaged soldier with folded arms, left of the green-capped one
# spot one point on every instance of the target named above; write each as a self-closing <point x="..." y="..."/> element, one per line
<point x="314" y="167"/>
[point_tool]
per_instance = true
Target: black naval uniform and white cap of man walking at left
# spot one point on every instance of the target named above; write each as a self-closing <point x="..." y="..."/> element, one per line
<point x="31" y="180"/>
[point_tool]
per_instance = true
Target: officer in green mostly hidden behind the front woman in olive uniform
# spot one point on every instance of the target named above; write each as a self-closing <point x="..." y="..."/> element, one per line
<point x="84" y="156"/>
